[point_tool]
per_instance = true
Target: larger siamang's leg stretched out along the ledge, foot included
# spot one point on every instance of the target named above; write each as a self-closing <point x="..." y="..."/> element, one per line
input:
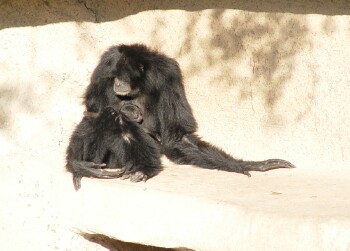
<point x="192" y="150"/>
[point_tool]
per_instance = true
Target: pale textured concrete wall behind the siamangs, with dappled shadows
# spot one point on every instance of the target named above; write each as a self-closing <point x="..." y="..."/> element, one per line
<point x="266" y="79"/>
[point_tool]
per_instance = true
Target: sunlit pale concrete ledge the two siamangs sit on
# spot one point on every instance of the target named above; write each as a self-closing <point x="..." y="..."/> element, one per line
<point x="212" y="210"/>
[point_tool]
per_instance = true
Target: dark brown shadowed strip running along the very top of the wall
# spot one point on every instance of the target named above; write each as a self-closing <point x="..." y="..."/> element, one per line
<point x="17" y="13"/>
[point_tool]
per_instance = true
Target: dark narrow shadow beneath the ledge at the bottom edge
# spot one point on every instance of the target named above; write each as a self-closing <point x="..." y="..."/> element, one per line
<point x="116" y="245"/>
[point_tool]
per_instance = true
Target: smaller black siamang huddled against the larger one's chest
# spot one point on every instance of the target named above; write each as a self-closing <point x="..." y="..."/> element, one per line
<point x="112" y="139"/>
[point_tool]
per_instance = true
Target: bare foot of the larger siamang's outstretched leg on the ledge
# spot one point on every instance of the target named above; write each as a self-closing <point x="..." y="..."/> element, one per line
<point x="266" y="165"/>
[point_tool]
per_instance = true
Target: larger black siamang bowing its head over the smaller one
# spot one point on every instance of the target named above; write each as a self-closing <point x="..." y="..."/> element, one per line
<point x="153" y="82"/>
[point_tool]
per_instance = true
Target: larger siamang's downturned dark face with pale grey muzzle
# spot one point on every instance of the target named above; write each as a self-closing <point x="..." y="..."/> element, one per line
<point x="128" y="76"/>
